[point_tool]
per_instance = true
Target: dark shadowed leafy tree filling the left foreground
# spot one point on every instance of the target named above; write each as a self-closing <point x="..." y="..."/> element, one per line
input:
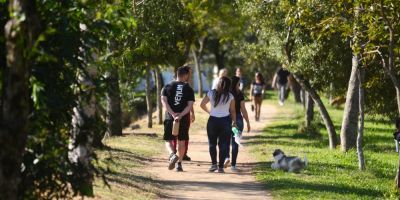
<point x="71" y="48"/>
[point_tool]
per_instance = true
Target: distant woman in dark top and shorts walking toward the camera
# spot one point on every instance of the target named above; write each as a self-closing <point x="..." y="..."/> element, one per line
<point x="257" y="90"/>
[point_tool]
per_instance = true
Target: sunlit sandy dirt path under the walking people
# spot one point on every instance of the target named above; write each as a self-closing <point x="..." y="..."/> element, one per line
<point x="197" y="183"/>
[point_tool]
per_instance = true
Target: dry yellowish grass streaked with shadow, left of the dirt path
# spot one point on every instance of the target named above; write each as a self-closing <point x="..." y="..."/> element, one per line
<point x="125" y="157"/>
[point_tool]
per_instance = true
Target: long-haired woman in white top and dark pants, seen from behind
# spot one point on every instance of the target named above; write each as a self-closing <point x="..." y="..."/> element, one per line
<point x="219" y="125"/>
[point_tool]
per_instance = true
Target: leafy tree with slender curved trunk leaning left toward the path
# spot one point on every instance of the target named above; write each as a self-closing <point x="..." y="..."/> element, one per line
<point x="288" y="28"/>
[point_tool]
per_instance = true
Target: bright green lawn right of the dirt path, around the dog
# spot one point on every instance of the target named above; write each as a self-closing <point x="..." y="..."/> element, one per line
<point x="331" y="174"/>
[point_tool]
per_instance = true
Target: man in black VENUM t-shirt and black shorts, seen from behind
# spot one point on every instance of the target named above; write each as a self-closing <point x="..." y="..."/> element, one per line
<point x="177" y="98"/>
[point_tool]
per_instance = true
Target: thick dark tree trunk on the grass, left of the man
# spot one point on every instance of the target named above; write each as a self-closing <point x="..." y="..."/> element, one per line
<point x="114" y="113"/>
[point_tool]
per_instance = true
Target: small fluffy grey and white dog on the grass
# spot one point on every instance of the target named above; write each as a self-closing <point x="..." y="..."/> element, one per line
<point x="286" y="163"/>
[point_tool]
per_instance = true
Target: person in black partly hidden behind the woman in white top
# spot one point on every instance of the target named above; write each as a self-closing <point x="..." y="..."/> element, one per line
<point x="241" y="113"/>
